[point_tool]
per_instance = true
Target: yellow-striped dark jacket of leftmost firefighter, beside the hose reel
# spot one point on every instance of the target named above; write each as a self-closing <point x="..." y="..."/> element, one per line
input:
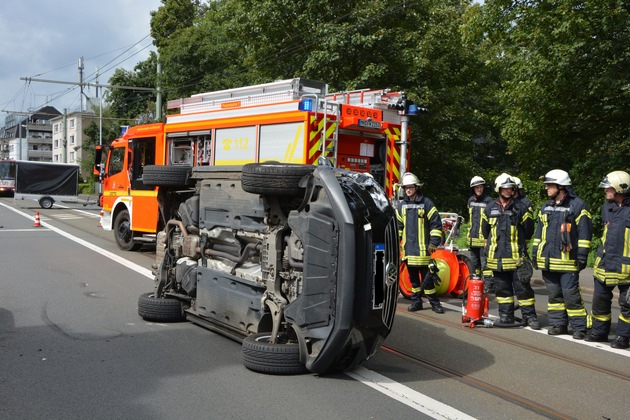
<point x="419" y="225"/>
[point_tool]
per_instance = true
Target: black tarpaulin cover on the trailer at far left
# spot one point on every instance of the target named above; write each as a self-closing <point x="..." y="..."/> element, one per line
<point x="47" y="178"/>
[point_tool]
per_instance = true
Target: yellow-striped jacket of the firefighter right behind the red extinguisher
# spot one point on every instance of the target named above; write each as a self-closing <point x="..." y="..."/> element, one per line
<point x="505" y="235"/>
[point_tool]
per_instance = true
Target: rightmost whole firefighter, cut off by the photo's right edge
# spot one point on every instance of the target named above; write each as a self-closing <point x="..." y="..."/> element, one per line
<point x="612" y="262"/>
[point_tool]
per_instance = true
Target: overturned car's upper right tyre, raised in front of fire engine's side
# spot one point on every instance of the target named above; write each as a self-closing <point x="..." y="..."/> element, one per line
<point x="274" y="178"/>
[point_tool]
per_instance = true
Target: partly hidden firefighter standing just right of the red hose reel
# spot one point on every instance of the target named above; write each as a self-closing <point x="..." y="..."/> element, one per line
<point x="477" y="203"/>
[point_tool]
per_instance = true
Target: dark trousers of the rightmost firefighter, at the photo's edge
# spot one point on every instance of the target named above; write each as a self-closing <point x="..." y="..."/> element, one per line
<point x="601" y="310"/>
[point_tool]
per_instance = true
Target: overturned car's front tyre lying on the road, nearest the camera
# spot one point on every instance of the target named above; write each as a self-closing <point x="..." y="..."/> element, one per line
<point x="262" y="356"/>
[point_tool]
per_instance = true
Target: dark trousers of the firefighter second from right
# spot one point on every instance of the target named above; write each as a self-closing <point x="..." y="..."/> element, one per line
<point x="565" y="305"/>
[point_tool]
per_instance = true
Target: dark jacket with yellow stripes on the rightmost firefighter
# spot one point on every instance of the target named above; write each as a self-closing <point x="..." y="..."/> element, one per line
<point x="612" y="263"/>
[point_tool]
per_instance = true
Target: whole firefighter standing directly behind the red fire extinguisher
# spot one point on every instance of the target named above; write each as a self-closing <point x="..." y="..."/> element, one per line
<point x="502" y="226"/>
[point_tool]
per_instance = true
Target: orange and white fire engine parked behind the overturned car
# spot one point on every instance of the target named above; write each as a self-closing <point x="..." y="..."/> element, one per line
<point x="288" y="121"/>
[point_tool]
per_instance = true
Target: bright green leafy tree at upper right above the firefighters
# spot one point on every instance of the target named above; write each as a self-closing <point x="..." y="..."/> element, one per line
<point x="565" y="96"/>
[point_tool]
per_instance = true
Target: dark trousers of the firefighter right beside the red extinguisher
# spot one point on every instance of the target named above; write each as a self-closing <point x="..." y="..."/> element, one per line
<point x="507" y="286"/>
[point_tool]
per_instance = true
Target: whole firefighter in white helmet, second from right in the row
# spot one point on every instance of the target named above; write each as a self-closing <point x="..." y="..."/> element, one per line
<point x="560" y="249"/>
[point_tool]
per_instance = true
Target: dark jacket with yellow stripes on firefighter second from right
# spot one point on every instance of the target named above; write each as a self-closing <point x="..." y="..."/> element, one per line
<point x="548" y="246"/>
